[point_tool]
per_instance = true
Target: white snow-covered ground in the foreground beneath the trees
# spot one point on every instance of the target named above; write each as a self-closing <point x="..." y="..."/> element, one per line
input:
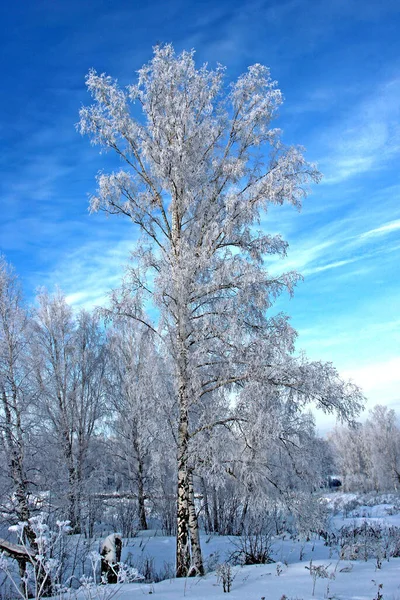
<point x="302" y="569"/>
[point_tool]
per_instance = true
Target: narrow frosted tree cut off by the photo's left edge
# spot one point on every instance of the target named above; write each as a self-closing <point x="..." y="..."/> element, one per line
<point x="17" y="398"/>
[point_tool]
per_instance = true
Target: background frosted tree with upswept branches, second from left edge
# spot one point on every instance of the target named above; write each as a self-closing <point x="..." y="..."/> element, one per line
<point x="70" y="368"/>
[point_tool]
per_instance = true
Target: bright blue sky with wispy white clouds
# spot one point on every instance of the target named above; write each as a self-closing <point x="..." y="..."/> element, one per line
<point x="338" y="66"/>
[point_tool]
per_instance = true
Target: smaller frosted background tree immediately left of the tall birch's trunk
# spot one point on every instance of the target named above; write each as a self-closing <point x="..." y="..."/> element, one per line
<point x="137" y="383"/>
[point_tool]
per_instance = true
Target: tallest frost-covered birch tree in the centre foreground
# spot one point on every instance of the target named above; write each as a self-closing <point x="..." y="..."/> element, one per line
<point x="200" y="167"/>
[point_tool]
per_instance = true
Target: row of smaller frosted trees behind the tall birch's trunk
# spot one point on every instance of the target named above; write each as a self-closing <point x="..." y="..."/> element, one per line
<point x="88" y="428"/>
